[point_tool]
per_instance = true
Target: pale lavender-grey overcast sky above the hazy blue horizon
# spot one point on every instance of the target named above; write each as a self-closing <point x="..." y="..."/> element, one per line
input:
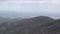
<point x="48" y="7"/>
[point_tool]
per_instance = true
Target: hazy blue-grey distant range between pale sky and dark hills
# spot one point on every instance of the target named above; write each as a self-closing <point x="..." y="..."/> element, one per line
<point x="27" y="14"/>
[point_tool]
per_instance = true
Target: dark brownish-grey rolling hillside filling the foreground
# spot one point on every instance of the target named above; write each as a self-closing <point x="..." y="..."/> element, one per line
<point x="35" y="25"/>
